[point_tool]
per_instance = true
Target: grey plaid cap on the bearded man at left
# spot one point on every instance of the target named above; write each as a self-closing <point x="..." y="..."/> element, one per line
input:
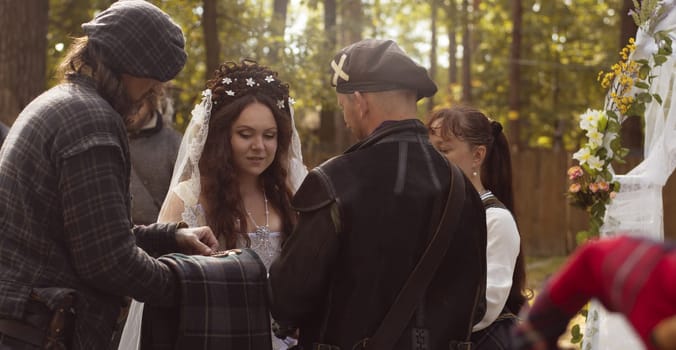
<point x="138" y="39"/>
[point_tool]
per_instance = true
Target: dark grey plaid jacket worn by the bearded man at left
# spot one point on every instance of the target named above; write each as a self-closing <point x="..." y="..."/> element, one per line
<point x="65" y="213"/>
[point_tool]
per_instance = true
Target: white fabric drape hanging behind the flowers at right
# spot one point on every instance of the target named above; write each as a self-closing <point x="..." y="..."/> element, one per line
<point x="637" y="209"/>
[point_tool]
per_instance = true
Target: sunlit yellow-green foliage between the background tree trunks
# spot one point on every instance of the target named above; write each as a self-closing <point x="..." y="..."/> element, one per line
<point x="564" y="45"/>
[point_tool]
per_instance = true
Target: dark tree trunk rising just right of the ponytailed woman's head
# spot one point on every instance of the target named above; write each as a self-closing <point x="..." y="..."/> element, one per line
<point x="515" y="77"/>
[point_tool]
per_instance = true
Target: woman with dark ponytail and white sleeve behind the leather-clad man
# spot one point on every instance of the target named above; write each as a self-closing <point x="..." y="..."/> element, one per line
<point x="466" y="137"/>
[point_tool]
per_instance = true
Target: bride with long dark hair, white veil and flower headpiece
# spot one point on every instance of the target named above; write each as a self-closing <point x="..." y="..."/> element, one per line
<point x="237" y="168"/>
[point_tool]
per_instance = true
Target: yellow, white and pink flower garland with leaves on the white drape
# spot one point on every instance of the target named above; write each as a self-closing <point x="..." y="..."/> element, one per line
<point x="628" y="82"/>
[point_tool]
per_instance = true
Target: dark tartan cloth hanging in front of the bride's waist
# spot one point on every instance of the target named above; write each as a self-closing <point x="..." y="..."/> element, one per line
<point x="223" y="305"/>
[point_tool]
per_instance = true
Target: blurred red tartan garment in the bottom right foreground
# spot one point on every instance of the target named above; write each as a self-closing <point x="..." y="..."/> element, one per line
<point x="629" y="275"/>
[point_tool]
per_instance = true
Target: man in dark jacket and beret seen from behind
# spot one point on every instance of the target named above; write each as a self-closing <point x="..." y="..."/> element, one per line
<point x="367" y="216"/>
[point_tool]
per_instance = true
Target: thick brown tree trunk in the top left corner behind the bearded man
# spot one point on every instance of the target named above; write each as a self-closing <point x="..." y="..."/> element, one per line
<point x="23" y="59"/>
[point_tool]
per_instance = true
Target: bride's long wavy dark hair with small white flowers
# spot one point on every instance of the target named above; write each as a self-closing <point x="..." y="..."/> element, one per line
<point x="232" y="91"/>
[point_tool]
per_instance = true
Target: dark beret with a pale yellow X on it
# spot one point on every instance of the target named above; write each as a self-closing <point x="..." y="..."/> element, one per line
<point x="373" y="65"/>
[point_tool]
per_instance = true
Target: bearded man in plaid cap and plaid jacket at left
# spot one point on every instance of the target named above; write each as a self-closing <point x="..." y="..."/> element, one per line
<point x="66" y="239"/>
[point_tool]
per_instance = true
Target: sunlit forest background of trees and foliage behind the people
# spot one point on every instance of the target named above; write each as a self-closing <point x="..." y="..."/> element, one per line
<point x="531" y="64"/>
